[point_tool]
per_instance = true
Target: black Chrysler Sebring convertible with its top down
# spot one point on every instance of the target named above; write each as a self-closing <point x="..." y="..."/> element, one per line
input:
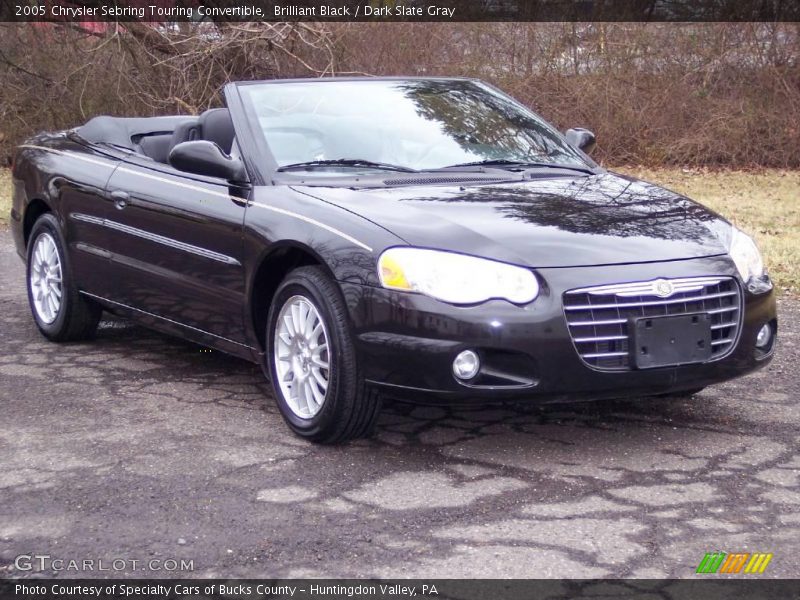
<point x="419" y="238"/>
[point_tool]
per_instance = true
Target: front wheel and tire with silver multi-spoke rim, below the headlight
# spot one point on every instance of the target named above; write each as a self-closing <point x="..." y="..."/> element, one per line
<point x="342" y="409"/>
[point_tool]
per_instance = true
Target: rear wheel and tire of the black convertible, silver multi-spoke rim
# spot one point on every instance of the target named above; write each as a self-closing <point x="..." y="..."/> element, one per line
<point x="60" y="312"/>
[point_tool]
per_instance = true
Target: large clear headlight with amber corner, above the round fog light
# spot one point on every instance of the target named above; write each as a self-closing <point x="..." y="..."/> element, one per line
<point x="455" y="278"/>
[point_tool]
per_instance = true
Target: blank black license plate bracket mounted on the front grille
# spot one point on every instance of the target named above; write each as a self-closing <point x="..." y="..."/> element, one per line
<point x="672" y="340"/>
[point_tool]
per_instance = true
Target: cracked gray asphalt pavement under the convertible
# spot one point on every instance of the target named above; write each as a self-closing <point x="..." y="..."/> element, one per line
<point x="140" y="446"/>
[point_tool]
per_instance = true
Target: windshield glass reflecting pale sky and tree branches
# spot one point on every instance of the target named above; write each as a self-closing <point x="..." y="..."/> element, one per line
<point x="416" y="124"/>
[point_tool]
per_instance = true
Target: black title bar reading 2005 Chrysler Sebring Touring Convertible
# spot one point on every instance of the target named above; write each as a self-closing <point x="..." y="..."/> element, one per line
<point x="401" y="10"/>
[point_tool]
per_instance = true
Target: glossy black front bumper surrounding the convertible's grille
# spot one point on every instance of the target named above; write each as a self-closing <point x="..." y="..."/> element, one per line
<point x="407" y="342"/>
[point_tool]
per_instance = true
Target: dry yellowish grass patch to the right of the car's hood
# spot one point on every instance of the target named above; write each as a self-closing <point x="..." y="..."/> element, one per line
<point x="765" y="204"/>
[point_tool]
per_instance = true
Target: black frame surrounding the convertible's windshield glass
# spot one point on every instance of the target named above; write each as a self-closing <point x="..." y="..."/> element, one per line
<point x="271" y="170"/>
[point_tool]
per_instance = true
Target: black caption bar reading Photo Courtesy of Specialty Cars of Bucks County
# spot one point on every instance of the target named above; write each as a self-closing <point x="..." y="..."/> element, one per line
<point x="400" y="589"/>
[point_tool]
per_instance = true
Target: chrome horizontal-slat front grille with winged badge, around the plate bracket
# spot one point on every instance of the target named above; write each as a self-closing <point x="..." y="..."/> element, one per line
<point x="601" y="318"/>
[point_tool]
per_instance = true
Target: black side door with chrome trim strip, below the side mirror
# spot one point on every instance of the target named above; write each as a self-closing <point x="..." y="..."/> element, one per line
<point x="177" y="248"/>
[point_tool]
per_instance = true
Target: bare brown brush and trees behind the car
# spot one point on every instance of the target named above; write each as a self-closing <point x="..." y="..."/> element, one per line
<point x="722" y="94"/>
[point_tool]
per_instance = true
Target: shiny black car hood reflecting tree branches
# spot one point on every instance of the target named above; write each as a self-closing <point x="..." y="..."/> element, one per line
<point x="552" y="222"/>
